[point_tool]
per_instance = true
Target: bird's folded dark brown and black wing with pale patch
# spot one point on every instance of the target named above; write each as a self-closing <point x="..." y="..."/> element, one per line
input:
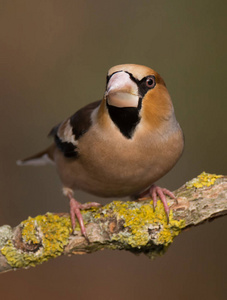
<point x="67" y="133"/>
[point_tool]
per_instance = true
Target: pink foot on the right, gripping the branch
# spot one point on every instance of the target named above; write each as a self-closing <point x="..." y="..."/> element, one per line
<point x="156" y="191"/>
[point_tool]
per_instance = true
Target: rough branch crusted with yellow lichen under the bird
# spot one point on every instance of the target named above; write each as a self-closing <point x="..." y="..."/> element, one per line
<point x="131" y="225"/>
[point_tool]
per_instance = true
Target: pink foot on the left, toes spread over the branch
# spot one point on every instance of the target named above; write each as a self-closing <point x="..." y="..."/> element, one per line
<point x="75" y="210"/>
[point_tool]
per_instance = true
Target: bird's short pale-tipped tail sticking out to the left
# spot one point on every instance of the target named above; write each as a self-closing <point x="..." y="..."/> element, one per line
<point x="40" y="159"/>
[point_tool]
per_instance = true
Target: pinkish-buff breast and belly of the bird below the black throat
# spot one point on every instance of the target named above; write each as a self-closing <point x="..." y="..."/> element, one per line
<point x="109" y="164"/>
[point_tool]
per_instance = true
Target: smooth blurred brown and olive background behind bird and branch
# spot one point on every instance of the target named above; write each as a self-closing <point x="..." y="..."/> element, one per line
<point x="54" y="59"/>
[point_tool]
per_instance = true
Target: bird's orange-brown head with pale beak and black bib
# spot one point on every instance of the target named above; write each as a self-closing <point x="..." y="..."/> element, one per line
<point x="134" y="93"/>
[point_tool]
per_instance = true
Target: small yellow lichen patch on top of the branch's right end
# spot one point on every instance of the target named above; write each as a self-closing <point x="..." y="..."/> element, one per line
<point x="204" y="179"/>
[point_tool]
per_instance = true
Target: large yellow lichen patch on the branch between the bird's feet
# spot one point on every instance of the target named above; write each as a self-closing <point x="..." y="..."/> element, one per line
<point x="139" y="219"/>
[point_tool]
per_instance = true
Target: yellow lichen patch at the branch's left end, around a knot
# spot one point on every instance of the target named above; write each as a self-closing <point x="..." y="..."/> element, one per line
<point x="48" y="234"/>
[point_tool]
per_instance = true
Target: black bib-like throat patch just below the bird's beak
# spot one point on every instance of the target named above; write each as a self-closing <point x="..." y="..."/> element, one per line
<point x="125" y="118"/>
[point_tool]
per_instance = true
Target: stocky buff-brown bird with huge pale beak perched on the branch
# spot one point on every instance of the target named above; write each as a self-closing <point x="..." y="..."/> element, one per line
<point x="118" y="146"/>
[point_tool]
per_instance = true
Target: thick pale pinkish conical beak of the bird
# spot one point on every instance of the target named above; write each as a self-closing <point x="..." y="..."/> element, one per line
<point x="122" y="91"/>
